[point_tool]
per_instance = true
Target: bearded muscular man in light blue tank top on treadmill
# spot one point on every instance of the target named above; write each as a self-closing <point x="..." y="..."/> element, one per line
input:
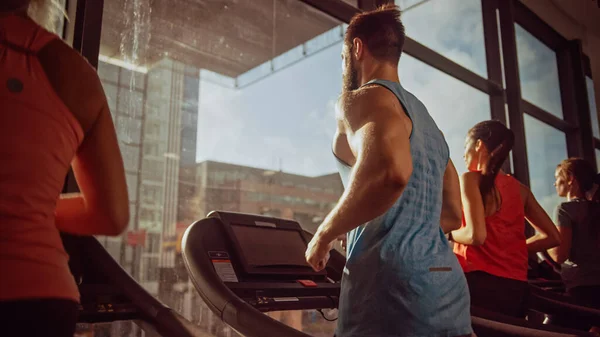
<point x="401" y="194"/>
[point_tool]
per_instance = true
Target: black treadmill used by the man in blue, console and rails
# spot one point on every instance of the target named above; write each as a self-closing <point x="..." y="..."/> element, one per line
<point x="244" y="265"/>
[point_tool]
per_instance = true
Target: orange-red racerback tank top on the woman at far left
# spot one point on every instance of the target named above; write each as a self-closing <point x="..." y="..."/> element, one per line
<point x="38" y="140"/>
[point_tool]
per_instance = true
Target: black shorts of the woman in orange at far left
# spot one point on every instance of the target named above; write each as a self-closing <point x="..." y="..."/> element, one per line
<point x="38" y="317"/>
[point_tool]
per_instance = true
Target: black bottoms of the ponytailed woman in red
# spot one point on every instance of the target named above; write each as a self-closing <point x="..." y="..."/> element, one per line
<point x="498" y="294"/>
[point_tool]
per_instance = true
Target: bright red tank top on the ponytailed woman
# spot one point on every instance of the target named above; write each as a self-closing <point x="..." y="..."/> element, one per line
<point x="504" y="252"/>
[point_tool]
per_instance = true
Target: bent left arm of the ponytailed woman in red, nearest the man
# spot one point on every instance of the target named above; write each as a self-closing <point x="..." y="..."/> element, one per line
<point x="474" y="231"/>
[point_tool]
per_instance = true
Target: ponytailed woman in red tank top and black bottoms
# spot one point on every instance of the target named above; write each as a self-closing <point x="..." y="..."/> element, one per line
<point x="491" y="245"/>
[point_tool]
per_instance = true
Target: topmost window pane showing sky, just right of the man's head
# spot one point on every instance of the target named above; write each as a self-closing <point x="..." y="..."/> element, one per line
<point x="453" y="28"/>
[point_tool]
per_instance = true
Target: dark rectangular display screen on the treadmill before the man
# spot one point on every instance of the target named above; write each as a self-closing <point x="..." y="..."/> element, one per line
<point x="270" y="247"/>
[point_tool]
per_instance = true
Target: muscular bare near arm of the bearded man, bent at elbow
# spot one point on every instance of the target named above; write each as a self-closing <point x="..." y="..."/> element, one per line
<point x="380" y="140"/>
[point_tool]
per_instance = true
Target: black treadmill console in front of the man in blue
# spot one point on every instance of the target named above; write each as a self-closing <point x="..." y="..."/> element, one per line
<point x="260" y="260"/>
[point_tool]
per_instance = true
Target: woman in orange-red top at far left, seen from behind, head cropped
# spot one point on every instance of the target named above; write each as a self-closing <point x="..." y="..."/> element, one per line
<point x="53" y="114"/>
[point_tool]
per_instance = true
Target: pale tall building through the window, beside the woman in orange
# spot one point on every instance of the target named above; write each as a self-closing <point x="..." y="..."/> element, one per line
<point x="157" y="133"/>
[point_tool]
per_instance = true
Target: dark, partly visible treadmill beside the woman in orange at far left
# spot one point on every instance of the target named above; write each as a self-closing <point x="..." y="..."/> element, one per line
<point x="109" y="294"/>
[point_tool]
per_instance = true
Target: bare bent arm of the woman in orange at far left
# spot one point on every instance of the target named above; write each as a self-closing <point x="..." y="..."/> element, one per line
<point x="102" y="207"/>
